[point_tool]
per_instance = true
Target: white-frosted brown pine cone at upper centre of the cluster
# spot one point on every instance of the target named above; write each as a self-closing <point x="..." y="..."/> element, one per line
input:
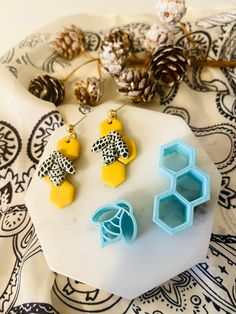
<point x="115" y="48"/>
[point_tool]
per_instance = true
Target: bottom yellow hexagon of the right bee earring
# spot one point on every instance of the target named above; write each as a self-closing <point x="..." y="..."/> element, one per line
<point x="113" y="174"/>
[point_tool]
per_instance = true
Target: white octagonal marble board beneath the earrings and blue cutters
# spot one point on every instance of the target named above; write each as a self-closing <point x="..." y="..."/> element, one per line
<point x="77" y="237"/>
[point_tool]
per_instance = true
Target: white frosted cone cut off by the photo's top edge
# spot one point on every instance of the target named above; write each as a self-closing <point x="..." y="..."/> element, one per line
<point x="170" y="11"/>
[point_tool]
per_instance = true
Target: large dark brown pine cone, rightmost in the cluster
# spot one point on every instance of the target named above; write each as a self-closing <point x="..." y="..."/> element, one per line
<point x="169" y="65"/>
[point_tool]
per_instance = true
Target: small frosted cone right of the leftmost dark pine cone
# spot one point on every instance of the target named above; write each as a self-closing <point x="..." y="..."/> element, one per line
<point x="89" y="92"/>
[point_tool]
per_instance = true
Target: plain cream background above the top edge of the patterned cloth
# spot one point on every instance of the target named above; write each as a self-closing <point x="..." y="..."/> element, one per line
<point x="19" y="18"/>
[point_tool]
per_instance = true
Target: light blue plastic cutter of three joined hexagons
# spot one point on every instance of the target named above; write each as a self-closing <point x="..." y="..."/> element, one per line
<point x="189" y="187"/>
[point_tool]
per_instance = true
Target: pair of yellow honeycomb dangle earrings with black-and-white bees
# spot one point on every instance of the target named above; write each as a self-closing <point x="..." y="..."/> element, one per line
<point x="117" y="152"/>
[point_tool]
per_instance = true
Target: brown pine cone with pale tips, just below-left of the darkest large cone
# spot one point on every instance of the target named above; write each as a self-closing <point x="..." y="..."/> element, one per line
<point x="138" y="84"/>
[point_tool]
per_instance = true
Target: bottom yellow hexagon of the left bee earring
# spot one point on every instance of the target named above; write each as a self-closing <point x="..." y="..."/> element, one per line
<point x="62" y="195"/>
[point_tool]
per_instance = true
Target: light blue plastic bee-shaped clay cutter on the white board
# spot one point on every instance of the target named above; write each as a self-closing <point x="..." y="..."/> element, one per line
<point x="116" y="222"/>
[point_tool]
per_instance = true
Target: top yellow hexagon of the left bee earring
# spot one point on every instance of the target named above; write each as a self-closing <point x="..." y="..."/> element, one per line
<point x="69" y="149"/>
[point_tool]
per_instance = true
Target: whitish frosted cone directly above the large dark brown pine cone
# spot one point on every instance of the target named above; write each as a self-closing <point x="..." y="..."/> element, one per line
<point x="157" y="36"/>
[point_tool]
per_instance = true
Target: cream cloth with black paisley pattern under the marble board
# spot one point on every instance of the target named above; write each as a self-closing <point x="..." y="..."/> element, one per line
<point x="206" y="102"/>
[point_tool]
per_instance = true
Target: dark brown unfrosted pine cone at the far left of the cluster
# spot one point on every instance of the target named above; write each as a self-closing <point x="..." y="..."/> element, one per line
<point x="48" y="88"/>
